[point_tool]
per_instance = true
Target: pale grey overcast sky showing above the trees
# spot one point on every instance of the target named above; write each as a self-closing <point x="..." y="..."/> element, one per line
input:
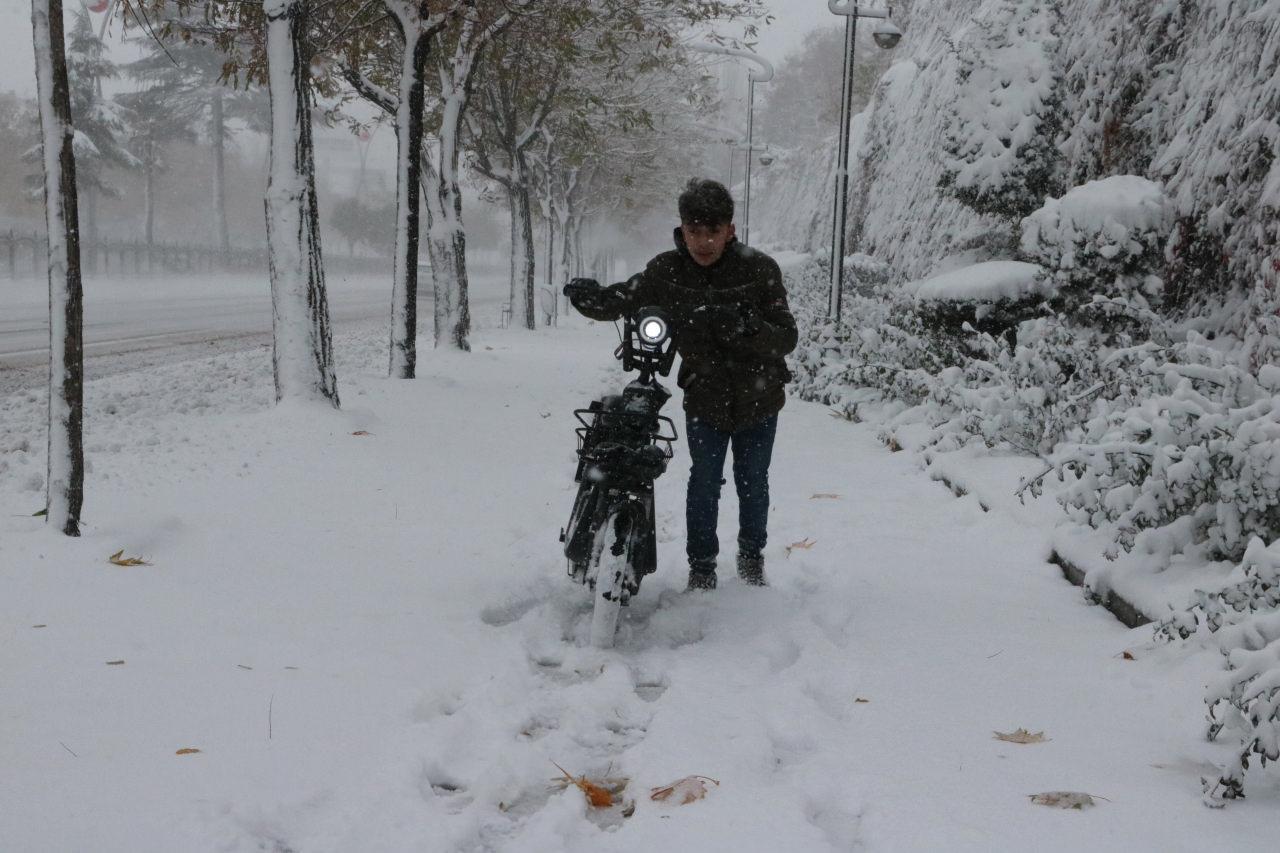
<point x="794" y="19"/>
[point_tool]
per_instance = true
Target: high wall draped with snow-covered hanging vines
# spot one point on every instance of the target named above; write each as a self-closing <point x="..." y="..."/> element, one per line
<point x="1185" y="93"/>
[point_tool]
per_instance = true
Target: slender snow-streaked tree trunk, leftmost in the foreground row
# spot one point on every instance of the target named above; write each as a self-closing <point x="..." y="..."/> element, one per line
<point x="66" y="473"/>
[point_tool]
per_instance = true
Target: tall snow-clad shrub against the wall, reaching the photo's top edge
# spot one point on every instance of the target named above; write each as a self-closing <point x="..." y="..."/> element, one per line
<point x="1000" y="149"/>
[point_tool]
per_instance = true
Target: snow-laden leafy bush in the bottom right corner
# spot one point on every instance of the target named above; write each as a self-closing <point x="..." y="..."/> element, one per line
<point x="1245" y="622"/>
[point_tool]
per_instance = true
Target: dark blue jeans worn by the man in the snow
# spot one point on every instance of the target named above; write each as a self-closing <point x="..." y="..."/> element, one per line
<point x="753" y="449"/>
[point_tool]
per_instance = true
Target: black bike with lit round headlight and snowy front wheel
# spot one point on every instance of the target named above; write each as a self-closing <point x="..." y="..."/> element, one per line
<point x="611" y="537"/>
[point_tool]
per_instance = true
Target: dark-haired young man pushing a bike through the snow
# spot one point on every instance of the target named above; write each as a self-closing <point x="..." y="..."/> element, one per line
<point x="733" y="327"/>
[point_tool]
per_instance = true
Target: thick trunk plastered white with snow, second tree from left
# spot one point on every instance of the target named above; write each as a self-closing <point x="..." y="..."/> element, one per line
<point x="303" y="340"/>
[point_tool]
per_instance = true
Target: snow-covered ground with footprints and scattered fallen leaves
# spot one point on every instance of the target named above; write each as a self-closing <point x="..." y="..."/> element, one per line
<point x="372" y="642"/>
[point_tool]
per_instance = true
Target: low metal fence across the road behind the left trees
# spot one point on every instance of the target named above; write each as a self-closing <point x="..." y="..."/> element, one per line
<point x="25" y="256"/>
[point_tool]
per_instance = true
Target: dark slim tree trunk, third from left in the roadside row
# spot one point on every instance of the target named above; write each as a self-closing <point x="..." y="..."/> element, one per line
<point x="409" y="135"/>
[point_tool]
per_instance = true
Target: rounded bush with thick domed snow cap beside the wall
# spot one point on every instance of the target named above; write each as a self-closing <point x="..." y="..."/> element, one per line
<point x="1103" y="240"/>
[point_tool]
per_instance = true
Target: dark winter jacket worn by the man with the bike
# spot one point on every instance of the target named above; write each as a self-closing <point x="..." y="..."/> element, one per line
<point x="733" y="373"/>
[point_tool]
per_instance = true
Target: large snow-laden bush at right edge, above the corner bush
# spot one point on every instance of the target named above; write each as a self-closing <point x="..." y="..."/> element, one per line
<point x="1185" y="459"/>
